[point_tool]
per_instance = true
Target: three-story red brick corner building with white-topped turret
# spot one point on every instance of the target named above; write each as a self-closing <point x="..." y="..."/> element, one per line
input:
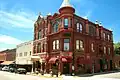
<point x="72" y="43"/>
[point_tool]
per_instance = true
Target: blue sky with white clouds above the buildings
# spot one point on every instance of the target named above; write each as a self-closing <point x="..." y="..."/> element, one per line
<point x="17" y="17"/>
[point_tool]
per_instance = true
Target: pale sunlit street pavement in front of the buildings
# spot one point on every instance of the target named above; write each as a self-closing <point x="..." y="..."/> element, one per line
<point x="13" y="76"/>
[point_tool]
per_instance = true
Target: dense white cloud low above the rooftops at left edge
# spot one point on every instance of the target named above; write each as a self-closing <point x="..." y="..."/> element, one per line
<point x="9" y="40"/>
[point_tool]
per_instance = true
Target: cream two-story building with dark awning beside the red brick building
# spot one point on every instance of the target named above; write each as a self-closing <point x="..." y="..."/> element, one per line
<point x="23" y="55"/>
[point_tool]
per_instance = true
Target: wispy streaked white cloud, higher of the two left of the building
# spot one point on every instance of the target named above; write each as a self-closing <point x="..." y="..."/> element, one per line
<point x="17" y="19"/>
